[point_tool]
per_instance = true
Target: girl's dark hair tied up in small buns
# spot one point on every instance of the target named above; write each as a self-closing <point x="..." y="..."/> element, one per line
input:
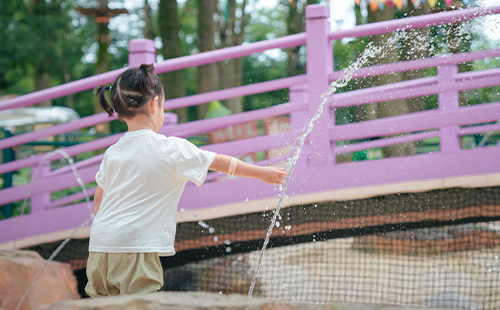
<point x="131" y="91"/>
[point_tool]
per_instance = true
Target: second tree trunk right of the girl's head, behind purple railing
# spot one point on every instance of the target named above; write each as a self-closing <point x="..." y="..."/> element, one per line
<point x="207" y="74"/>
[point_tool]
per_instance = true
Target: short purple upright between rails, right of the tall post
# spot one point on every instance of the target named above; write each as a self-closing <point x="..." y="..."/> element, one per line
<point x="449" y="100"/>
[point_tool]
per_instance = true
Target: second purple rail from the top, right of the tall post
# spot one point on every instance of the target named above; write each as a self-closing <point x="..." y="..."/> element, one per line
<point x="419" y="64"/>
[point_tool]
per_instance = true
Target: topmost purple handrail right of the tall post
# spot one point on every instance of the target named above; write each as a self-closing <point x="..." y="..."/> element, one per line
<point x="414" y="22"/>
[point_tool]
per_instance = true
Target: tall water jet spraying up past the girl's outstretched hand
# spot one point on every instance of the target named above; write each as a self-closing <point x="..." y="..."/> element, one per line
<point x="371" y="51"/>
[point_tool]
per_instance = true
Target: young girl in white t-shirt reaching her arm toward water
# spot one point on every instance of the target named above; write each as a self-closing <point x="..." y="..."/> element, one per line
<point x="139" y="184"/>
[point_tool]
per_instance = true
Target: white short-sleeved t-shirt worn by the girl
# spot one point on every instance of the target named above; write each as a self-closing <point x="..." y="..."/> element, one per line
<point x="143" y="176"/>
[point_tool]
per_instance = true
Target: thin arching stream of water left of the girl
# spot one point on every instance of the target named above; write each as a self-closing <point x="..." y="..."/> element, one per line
<point x="63" y="244"/>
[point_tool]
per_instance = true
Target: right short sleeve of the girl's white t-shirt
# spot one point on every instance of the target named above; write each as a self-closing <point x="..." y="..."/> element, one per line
<point x="192" y="162"/>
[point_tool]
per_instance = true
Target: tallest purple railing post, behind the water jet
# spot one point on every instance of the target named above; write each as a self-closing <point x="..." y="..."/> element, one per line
<point x="319" y="66"/>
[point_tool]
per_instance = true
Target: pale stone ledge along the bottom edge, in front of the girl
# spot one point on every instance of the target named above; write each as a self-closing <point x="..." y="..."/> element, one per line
<point x="209" y="301"/>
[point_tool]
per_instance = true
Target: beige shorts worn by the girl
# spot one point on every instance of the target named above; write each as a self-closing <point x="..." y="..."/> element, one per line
<point x="111" y="274"/>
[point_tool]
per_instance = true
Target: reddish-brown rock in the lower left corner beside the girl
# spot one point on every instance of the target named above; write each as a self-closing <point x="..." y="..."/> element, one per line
<point x="18" y="269"/>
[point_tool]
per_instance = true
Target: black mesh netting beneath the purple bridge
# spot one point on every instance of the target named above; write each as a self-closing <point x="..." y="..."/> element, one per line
<point x="438" y="249"/>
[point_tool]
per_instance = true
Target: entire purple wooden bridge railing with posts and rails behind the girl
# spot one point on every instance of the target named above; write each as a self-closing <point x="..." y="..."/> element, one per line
<point x="307" y="178"/>
